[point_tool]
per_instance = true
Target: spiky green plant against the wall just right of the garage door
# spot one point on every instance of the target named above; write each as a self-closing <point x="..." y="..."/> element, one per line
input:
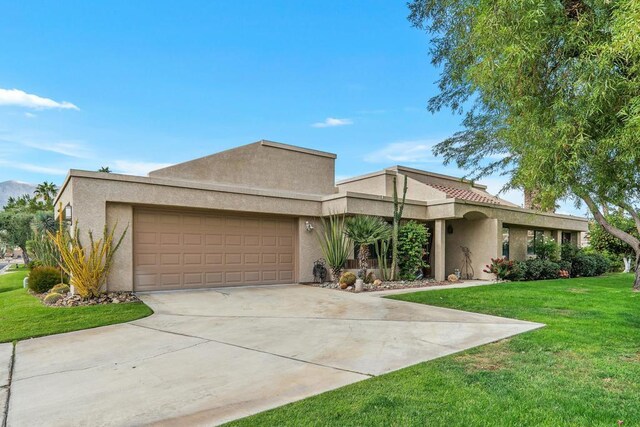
<point x="334" y="243"/>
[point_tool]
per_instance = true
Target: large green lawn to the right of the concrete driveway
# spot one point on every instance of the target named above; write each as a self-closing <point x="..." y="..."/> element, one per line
<point x="582" y="369"/>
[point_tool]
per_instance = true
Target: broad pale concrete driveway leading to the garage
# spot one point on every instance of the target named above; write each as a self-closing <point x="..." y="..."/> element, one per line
<point x="206" y="357"/>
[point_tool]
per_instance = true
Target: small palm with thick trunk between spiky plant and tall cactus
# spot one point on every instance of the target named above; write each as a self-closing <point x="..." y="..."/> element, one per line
<point x="366" y="230"/>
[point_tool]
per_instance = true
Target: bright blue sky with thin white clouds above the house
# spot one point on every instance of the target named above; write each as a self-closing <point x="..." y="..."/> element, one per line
<point x="136" y="86"/>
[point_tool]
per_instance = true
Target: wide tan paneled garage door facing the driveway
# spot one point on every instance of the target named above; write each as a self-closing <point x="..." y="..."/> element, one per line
<point x="184" y="250"/>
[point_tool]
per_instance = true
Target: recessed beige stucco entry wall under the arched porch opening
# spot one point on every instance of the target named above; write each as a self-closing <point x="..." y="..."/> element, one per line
<point x="481" y="236"/>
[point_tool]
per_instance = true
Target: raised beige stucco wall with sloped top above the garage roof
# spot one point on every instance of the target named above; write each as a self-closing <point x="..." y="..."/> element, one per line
<point x="263" y="164"/>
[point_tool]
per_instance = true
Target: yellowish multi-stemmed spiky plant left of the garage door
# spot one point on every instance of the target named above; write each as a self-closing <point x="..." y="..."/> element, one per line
<point x="88" y="268"/>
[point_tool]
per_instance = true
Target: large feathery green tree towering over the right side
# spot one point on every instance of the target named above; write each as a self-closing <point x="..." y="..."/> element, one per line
<point x="550" y="93"/>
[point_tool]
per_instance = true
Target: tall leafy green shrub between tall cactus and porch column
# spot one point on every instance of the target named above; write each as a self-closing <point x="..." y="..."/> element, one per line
<point x="412" y="241"/>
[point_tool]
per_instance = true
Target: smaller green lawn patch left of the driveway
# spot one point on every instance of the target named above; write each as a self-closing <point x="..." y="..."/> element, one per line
<point x="23" y="316"/>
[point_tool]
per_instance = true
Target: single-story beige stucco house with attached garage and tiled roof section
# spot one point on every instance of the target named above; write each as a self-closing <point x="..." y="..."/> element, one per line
<point x="245" y="217"/>
